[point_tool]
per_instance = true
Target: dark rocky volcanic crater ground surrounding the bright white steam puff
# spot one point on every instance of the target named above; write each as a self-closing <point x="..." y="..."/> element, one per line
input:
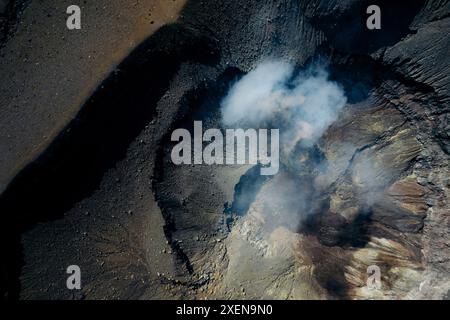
<point x="86" y="176"/>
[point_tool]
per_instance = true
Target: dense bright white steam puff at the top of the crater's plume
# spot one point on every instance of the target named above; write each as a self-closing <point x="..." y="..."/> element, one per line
<point x="301" y="105"/>
